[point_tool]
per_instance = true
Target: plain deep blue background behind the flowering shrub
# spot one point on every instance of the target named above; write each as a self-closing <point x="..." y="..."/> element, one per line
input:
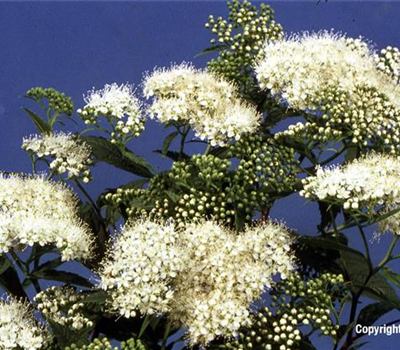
<point x="76" y="45"/>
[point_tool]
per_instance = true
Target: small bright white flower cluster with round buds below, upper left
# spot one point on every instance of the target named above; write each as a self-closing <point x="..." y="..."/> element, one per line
<point x="118" y="102"/>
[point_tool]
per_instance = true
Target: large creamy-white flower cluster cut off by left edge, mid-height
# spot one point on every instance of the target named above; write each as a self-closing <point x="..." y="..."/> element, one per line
<point x="34" y="210"/>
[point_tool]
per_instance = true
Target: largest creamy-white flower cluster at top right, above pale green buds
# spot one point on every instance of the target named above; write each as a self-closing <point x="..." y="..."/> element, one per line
<point x="300" y="66"/>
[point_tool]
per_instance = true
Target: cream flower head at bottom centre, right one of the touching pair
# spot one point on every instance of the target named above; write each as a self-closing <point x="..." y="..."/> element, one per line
<point x="224" y="273"/>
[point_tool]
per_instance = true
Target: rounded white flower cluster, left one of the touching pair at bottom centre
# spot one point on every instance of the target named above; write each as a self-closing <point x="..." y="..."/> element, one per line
<point x="142" y="264"/>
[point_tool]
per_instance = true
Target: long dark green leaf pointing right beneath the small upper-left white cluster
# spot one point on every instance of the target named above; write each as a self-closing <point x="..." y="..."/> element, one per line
<point x="105" y="151"/>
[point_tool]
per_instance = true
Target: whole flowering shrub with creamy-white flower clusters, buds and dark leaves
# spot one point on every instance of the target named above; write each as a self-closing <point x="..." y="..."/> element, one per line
<point x="189" y="254"/>
